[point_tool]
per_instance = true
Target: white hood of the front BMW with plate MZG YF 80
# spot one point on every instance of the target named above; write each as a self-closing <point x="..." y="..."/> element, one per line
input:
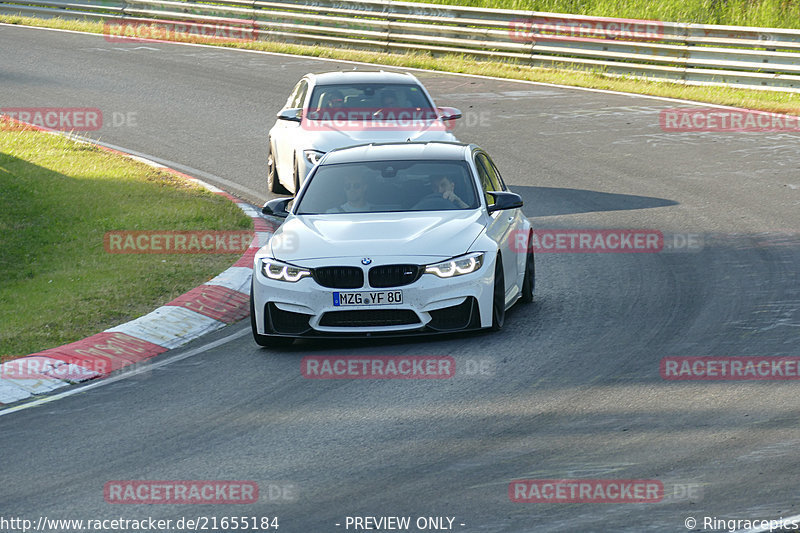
<point x="440" y="234"/>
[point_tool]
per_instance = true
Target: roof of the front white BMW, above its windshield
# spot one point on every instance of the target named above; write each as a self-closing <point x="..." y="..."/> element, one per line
<point x="433" y="150"/>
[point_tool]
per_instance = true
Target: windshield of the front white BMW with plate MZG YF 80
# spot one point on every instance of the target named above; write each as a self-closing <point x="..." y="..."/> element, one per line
<point x="389" y="186"/>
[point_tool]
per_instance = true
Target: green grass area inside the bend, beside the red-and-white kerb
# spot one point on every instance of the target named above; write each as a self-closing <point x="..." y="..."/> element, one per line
<point x="57" y="282"/>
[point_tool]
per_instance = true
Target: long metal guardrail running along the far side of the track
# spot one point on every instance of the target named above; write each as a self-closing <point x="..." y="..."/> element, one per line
<point x="759" y="58"/>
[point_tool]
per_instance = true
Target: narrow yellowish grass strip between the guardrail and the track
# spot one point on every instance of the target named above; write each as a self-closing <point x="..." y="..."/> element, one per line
<point x="773" y="101"/>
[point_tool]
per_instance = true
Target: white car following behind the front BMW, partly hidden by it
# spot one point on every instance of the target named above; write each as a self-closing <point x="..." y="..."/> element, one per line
<point x="338" y="109"/>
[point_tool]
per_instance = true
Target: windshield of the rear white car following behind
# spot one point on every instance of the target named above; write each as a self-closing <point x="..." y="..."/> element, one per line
<point x="368" y="99"/>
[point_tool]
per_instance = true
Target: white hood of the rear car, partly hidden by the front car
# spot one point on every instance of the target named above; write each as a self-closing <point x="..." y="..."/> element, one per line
<point x="326" y="140"/>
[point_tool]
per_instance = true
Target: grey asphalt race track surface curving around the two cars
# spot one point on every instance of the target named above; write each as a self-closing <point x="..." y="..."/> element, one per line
<point x="571" y="387"/>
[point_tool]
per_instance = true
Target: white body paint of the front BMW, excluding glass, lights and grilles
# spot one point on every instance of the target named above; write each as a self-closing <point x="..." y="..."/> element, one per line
<point x="406" y="237"/>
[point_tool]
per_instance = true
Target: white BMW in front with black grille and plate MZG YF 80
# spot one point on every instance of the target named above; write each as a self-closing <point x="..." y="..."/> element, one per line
<point x="393" y="239"/>
